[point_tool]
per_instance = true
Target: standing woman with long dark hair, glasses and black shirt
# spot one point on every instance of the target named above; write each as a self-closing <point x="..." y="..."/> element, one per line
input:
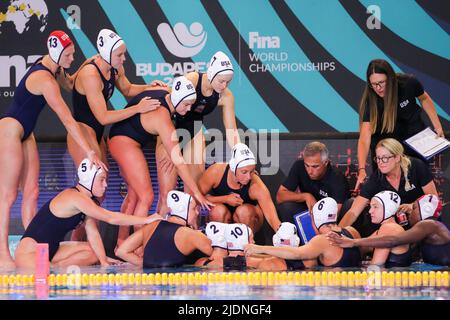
<point x="388" y="109"/>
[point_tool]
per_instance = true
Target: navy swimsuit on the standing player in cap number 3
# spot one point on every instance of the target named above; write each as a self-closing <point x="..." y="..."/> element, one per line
<point x="82" y="111"/>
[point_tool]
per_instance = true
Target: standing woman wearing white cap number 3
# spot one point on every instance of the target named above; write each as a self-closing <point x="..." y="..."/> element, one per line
<point x="93" y="87"/>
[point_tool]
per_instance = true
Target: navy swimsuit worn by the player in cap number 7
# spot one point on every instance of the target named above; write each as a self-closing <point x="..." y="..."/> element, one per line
<point x="201" y="107"/>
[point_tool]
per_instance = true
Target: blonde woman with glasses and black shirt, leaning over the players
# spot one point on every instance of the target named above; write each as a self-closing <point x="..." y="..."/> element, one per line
<point x="409" y="177"/>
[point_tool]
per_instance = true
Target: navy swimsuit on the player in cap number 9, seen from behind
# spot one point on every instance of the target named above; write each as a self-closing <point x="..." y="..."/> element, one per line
<point x="161" y="250"/>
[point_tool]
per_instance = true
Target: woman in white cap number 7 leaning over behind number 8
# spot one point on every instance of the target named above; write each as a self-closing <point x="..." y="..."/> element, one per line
<point x="212" y="90"/>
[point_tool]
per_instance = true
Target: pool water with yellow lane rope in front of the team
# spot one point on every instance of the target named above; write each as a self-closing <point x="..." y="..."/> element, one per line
<point x="418" y="282"/>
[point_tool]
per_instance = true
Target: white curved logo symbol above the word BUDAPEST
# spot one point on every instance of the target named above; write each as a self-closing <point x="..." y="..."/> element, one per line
<point x="181" y="41"/>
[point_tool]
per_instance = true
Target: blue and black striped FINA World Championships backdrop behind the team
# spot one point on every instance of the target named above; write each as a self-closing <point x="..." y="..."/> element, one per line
<point x="299" y="64"/>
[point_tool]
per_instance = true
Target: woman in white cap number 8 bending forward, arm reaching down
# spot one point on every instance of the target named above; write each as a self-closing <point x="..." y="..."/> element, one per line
<point x="127" y="138"/>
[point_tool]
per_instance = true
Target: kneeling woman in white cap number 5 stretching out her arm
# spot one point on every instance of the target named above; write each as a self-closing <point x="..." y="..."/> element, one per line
<point x="67" y="211"/>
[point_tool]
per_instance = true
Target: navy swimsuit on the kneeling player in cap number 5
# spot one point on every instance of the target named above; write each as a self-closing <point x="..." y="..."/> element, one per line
<point x="48" y="228"/>
